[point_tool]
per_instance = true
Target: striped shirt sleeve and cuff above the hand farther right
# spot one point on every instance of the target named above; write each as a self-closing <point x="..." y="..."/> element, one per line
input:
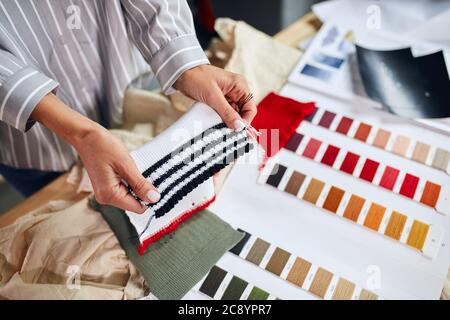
<point x="163" y="30"/>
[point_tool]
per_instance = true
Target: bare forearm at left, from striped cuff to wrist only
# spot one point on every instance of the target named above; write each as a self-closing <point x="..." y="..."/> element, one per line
<point x="68" y="124"/>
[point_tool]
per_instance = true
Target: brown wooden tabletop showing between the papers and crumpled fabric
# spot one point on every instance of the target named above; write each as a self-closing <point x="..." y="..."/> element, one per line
<point x="60" y="189"/>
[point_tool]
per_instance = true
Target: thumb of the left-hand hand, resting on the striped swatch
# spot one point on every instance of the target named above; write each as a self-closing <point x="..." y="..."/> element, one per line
<point x="140" y="186"/>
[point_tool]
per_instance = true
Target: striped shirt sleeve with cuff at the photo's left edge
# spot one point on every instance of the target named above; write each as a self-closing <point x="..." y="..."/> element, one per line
<point x="21" y="88"/>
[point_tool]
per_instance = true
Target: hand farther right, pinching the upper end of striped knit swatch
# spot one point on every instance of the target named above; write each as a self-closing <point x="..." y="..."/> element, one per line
<point x="219" y="89"/>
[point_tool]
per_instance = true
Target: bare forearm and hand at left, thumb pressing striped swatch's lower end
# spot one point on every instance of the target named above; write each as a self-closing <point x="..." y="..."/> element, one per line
<point x="105" y="158"/>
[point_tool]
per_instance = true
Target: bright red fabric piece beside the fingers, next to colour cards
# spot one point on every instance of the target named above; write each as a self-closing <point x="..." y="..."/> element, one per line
<point x="279" y="113"/>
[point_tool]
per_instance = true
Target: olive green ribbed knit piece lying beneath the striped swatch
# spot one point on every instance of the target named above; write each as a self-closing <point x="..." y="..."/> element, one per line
<point x="177" y="262"/>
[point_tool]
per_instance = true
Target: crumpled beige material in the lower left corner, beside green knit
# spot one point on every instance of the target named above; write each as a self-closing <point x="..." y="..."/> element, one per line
<point x="62" y="251"/>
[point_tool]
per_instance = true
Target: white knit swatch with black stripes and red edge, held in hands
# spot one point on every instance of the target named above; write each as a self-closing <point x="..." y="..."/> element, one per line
<point x="180" y="163"/>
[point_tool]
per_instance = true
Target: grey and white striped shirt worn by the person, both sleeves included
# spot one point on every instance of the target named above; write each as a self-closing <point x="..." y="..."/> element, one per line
<point x="87" y="52"/>
